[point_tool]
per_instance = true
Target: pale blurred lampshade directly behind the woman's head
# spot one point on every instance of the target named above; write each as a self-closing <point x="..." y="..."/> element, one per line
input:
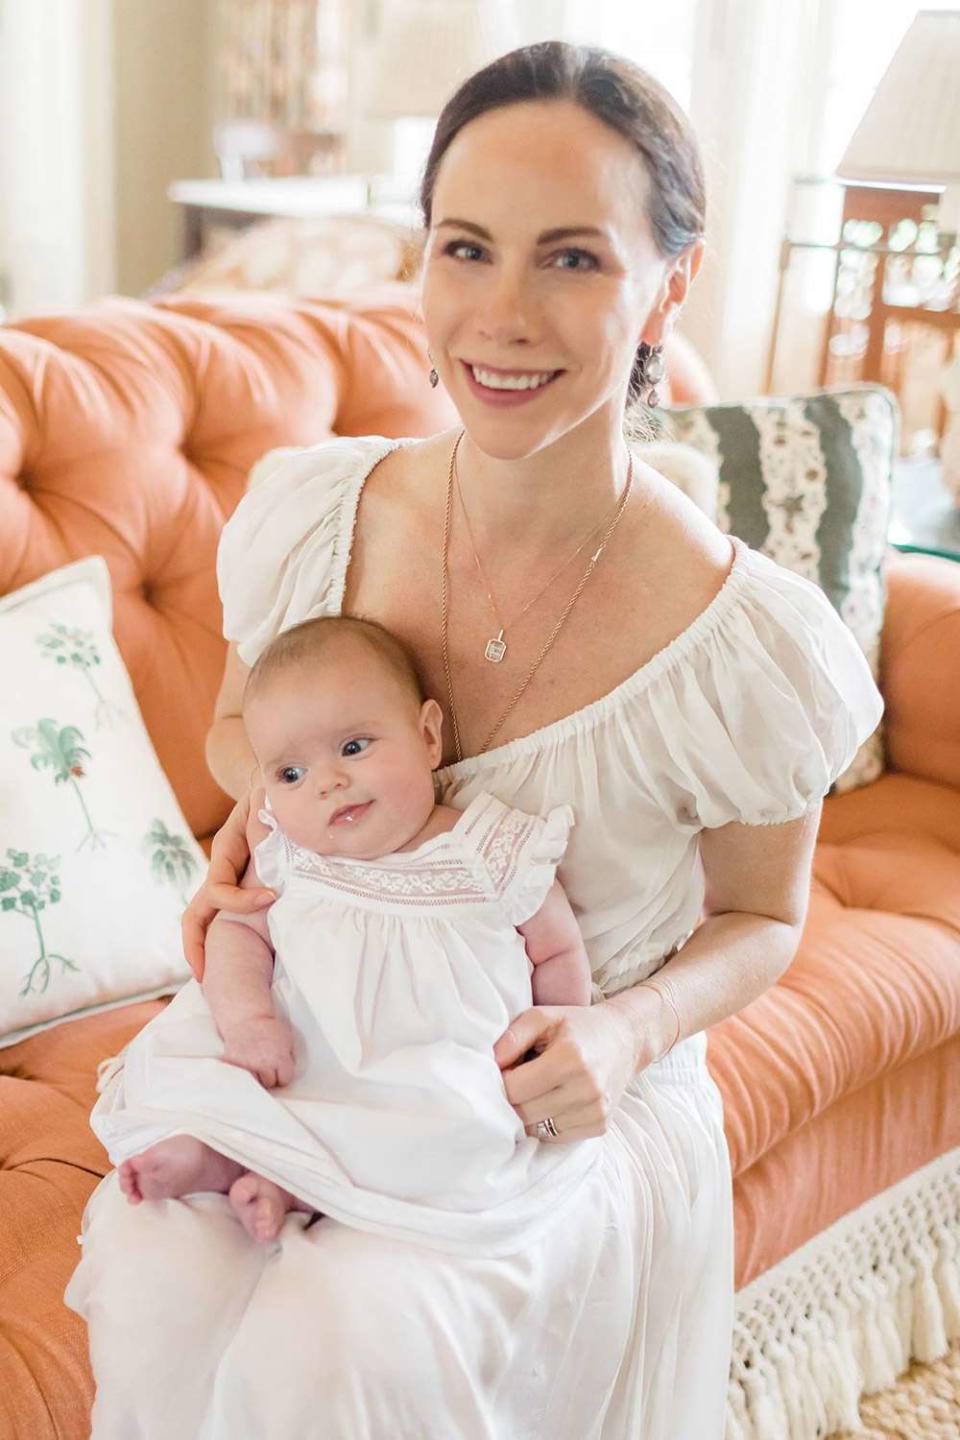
<point x="424" y="50"/>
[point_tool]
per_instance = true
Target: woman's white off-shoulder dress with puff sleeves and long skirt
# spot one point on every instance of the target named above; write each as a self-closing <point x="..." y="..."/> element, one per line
<point x="614" y="1324"/>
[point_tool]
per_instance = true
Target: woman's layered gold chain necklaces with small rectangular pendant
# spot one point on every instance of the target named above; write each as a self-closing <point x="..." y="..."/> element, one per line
<point x="496" y="647"/>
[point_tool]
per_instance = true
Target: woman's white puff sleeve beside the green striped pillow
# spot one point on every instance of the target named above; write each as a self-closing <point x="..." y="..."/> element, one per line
<point x="766" y="711"/>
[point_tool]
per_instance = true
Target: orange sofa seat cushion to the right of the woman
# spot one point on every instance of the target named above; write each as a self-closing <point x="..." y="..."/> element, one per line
<point x="876" y="981"/>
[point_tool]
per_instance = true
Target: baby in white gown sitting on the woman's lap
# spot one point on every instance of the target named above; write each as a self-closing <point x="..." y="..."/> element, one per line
<point x="339" y="1055"/>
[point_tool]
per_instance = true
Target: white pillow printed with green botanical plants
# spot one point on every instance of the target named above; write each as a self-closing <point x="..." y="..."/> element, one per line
<point x="97" y="860"/>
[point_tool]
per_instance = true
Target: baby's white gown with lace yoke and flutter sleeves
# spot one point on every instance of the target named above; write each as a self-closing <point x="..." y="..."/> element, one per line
<point x="398" y="977"/>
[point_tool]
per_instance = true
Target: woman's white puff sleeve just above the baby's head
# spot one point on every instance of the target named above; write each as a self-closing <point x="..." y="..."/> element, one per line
<point x="284" y="554"/>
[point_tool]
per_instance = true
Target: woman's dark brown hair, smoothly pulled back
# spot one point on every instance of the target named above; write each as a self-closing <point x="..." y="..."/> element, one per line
<point x="617" y="93"/>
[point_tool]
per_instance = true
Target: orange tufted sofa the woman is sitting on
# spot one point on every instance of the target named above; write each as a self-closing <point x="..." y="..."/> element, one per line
<point x="127" y="430"/>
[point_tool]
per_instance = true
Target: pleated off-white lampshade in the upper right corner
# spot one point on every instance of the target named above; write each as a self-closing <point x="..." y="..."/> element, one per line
<point x="910" y="133"/>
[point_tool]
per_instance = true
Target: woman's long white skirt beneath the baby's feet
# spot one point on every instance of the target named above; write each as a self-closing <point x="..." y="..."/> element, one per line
<point x="615" y="1324"/>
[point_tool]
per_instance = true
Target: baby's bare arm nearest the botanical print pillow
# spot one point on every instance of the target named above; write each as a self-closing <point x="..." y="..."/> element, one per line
<point x="237" y="984"/>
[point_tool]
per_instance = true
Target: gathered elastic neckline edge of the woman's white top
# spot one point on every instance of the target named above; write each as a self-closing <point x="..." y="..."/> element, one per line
<point x="587" y="716"/>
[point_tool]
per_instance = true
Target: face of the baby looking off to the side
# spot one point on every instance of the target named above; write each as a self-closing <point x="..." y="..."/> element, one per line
<point x="346" y="752"/>
